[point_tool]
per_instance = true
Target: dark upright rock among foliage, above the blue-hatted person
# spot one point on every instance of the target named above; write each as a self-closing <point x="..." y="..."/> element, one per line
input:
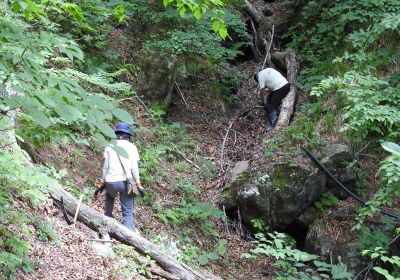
<point x="157" y="80"/>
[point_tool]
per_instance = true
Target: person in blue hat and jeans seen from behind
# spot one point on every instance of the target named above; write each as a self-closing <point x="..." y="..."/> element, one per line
<point x="117" y="170"/>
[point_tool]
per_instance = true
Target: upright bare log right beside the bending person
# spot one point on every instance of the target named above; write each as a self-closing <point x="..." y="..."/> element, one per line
<point x="288" y="102"/>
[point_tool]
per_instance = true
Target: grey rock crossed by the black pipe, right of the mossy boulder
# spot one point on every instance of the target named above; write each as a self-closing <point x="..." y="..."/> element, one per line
<point x="339" y="161"/>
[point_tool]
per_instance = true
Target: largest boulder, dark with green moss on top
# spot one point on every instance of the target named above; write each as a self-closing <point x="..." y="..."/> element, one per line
<point x="278" y="199"/>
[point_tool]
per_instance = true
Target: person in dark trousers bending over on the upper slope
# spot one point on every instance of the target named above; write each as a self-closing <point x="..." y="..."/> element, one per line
<point x="274" y="81"/>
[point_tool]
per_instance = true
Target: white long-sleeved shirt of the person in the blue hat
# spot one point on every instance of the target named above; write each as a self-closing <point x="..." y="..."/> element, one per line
<point x="112" y="170"/>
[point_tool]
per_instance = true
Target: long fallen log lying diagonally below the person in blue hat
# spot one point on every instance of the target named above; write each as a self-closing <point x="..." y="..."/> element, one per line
<point x="99" y="222"/>
